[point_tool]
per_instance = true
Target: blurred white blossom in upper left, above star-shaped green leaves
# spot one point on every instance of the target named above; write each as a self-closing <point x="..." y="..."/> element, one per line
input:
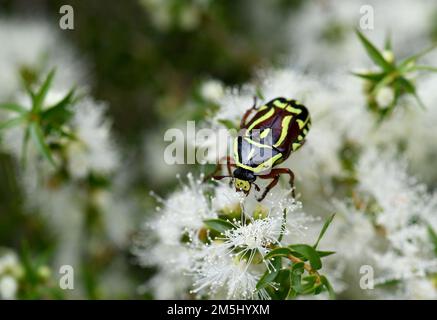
<point x="35" y="45"/>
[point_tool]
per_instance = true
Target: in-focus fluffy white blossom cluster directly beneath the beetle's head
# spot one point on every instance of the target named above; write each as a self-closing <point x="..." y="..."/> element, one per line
<point x="217" y="240"/>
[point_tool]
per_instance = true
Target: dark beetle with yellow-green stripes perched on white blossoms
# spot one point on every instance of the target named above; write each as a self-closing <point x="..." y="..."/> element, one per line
<point x="277" y="129"/>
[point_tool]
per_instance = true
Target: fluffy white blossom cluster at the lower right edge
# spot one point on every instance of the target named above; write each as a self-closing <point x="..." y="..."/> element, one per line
<point x="387" y="225"/>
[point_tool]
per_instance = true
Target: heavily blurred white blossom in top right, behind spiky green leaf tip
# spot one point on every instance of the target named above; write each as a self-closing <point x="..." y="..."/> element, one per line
<point x="321" y="32"/>
